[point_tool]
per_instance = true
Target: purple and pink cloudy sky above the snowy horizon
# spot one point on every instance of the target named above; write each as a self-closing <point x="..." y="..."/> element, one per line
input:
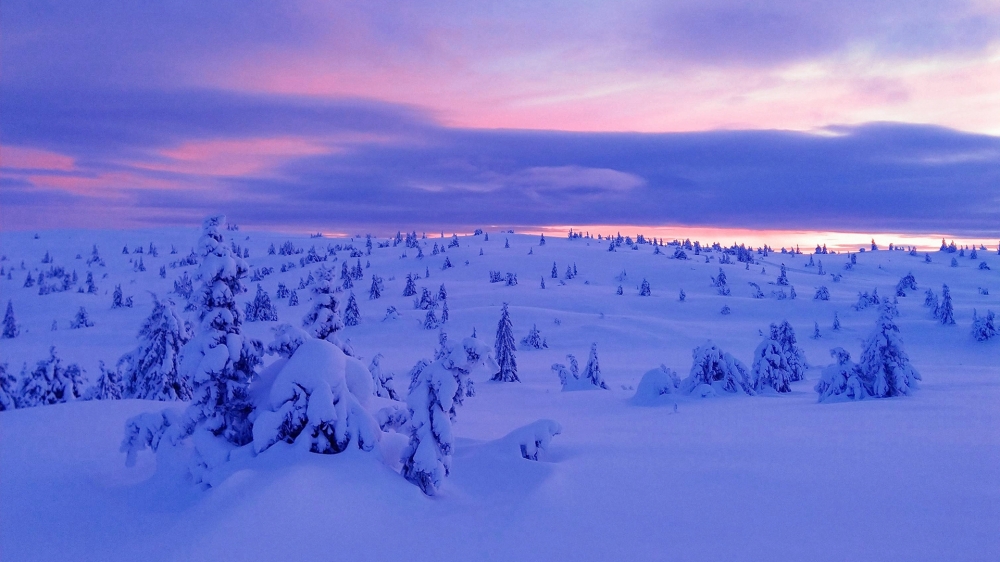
<point x="853" y="116"/>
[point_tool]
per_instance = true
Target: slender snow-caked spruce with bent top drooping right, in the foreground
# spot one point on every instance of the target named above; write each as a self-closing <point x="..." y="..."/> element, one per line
<point x="436" y="391"/>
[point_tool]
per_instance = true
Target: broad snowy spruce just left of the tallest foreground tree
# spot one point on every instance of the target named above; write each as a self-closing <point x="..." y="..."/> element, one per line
<point x="152" y="370"/>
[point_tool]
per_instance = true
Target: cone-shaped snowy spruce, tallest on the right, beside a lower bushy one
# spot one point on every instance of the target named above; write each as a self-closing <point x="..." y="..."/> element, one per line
<point x="884" y="364"/>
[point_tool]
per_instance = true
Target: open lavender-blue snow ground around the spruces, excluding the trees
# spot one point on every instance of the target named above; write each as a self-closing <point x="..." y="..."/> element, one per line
<point x="771" y="477"/>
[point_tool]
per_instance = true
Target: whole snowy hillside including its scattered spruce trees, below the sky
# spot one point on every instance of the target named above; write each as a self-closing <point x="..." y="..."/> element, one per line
<point x="236" y="395"/>
